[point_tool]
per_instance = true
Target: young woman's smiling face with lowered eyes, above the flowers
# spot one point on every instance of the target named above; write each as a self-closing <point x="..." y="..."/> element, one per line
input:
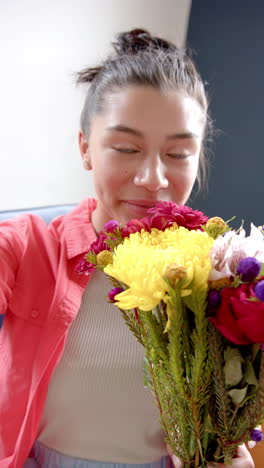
<point x="142" y="149"/>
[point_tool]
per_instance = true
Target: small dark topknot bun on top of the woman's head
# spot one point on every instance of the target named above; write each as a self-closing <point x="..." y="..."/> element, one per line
<point x="136" y="40"/>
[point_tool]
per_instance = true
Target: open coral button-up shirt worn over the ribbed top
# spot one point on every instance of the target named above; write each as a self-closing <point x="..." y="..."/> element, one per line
<point x="40" y="293"/>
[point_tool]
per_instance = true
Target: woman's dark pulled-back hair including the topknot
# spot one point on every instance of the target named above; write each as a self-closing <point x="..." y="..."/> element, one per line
<point x="143" y="60"/>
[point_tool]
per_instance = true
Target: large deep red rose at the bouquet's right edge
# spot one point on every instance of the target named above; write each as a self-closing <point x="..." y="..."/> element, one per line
<point x="239" y="319"/>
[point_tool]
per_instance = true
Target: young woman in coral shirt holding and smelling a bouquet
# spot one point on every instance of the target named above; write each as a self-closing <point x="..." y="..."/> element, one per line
<point x="72" y="392"/>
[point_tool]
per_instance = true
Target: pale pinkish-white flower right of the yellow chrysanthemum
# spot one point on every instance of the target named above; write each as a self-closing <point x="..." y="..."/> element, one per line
<point x="232" y="247"/>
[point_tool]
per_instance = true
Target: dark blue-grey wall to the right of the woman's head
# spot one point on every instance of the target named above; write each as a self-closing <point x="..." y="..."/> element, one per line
<point x="228" y="36"/>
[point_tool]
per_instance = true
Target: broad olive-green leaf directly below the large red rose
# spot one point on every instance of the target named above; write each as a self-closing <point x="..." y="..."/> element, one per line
<point x="233" y="366"/>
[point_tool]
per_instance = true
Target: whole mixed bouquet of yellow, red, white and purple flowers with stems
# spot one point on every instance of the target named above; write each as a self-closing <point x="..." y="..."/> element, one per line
<point x="191" y="290"/>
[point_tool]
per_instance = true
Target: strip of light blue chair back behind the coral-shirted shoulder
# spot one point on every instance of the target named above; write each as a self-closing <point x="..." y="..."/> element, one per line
<point x="47" y="212"/>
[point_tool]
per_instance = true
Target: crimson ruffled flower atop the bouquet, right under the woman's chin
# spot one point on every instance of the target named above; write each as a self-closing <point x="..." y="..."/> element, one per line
<point x="181" y="214"/>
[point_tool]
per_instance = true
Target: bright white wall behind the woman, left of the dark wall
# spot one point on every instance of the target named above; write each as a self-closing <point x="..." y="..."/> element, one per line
<point x="42" y="44"/>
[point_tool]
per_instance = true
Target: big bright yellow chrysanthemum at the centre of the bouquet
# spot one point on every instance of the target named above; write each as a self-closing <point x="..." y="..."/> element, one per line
<point x="141" y="262"/>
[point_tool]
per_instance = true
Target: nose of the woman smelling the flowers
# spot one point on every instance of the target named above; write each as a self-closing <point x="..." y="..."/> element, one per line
<point x="151" y="174"/>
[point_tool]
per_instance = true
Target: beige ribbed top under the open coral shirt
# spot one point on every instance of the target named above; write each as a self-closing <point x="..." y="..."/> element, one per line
<point x="97" y="407"/>
